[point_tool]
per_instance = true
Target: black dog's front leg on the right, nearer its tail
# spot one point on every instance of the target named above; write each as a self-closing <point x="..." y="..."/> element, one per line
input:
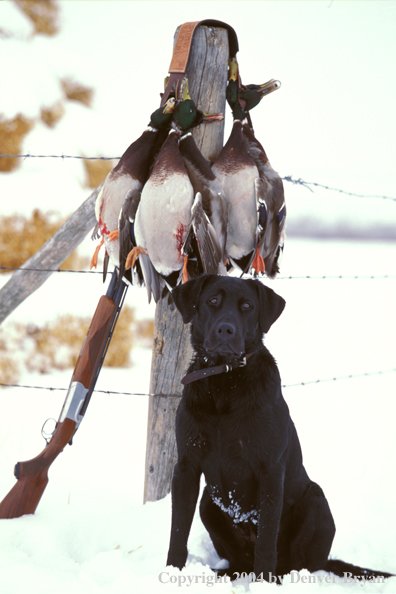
<point x="270" y="512"/>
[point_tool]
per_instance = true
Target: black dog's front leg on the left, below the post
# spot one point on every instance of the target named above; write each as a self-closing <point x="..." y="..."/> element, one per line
<point x="185" y="490"/>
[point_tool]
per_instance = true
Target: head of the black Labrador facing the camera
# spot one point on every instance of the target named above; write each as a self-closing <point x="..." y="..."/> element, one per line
<point x="229" y="315"/>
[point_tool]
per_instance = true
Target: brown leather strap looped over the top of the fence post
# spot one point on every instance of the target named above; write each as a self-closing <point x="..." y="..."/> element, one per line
<point x="181" y="51"/>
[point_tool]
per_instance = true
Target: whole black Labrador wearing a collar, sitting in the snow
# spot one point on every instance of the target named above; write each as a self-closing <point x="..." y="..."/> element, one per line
<point x="261" y="509"/>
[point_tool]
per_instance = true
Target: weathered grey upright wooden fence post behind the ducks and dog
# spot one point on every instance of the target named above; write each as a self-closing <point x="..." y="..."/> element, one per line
<point x="207" y="78"/>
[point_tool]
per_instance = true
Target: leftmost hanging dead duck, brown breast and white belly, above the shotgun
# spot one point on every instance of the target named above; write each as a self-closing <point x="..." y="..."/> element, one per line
<point x="125" y="182"/>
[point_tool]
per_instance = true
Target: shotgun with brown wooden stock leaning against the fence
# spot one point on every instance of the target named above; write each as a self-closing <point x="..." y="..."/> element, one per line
<point x="32" y="475"/>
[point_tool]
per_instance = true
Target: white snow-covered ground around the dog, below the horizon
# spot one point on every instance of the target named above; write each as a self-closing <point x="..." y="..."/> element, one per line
<point x="91" y="534"/>
